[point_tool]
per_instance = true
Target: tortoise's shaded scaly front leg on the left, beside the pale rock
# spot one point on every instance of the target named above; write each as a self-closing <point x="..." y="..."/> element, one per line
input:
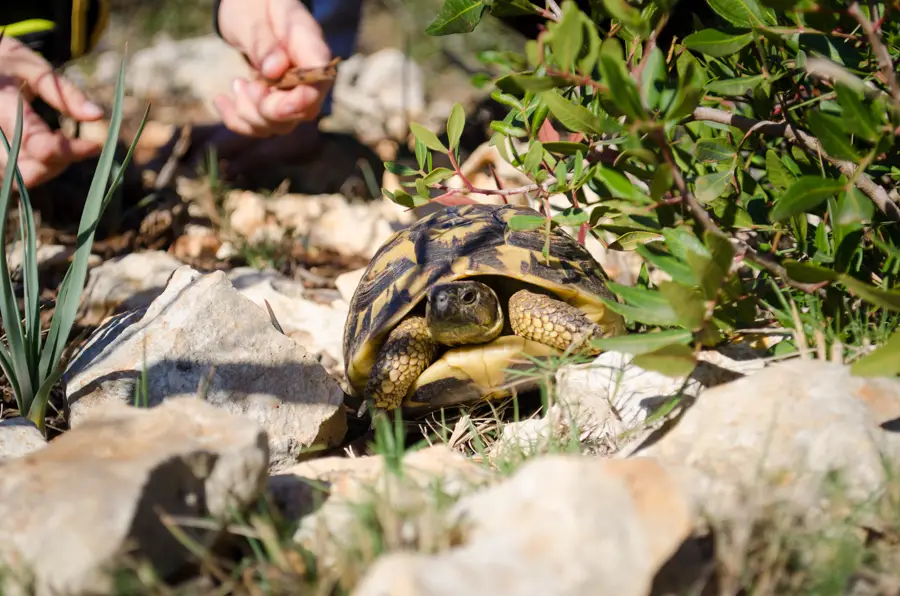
<point x="408" y="350"/>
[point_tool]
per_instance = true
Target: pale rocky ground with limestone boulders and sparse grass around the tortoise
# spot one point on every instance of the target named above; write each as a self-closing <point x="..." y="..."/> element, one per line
<point x="199" y="448"/>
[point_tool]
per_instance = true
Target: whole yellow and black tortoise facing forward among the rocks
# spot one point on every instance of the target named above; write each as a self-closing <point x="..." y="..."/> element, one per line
<point x="449" y="305"/>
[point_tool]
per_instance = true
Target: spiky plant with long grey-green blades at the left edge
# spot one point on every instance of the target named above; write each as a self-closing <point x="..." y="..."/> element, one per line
<point x="32" y="365"/>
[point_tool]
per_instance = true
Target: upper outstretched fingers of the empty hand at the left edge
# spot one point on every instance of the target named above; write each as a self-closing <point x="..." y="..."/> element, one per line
<point x="22" y="63"/>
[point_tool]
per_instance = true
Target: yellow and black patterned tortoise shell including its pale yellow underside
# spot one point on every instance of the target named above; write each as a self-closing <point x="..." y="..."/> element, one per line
<point x="459" y="242"/>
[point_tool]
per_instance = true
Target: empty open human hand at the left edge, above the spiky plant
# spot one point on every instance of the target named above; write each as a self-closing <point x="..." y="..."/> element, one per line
<point x="43" y="153"/>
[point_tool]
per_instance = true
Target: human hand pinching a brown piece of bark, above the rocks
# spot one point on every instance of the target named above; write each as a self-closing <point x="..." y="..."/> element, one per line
<point x="275" y="35"/>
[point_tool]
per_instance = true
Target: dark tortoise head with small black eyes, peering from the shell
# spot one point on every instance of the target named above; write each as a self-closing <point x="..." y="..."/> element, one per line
<point x="463" y="312"/>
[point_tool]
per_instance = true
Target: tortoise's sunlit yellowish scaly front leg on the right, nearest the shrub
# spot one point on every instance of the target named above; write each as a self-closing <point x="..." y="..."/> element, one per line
<point x="552" y="322"/>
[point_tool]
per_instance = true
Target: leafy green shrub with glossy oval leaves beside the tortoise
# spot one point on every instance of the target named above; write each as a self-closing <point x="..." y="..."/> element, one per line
<point x="752" y="162"/>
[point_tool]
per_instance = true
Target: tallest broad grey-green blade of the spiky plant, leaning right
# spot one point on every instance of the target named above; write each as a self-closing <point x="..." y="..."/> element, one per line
<point x="73" y="284"/>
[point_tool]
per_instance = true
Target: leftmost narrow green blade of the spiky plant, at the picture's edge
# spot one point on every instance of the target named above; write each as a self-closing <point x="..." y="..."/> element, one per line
<point x="9" y="309"/>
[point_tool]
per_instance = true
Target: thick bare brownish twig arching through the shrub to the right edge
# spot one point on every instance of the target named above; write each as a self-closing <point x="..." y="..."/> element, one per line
<point x="803" y="139"/>
